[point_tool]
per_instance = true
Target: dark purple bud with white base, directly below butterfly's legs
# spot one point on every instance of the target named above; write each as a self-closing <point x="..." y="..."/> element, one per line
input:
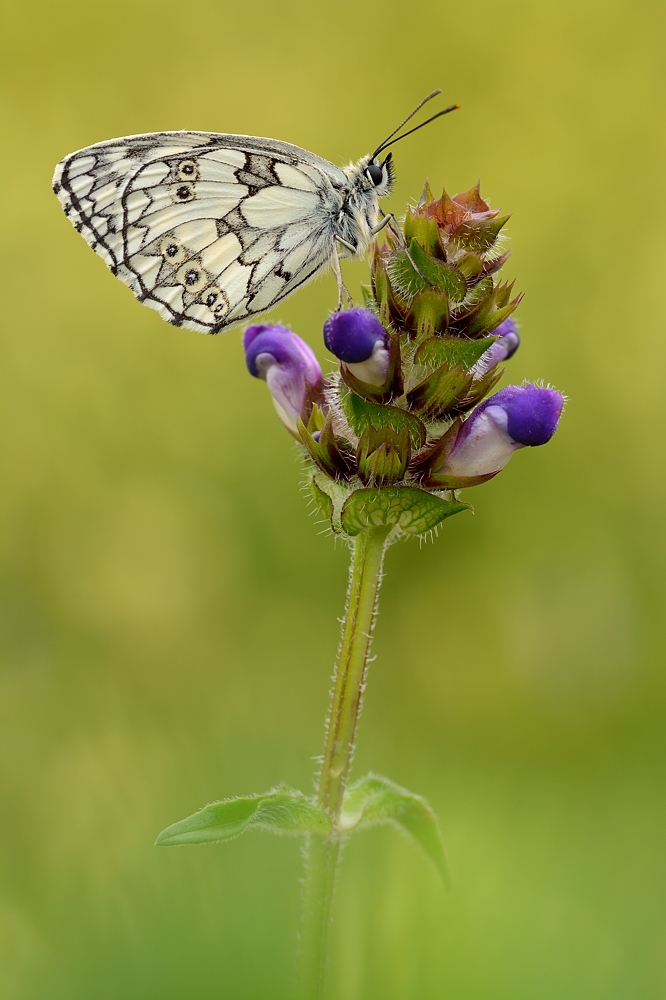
<point x="359" y="339"/>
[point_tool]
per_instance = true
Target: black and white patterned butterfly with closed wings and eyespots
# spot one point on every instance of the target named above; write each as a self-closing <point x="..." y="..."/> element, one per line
<point x="212" y="229"/>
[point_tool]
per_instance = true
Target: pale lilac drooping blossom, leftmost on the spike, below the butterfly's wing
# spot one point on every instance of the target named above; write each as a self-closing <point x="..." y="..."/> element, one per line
<point x="289" y="367"/>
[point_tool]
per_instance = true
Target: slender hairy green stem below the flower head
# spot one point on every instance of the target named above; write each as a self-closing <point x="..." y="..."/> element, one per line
<point x="364" y="580"/>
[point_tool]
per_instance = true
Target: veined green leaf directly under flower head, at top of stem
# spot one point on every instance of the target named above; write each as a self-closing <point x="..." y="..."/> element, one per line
<point x="414" y="510"/>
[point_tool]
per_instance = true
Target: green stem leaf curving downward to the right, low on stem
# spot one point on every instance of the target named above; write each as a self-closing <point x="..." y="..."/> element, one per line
<point x="374" y="800"/>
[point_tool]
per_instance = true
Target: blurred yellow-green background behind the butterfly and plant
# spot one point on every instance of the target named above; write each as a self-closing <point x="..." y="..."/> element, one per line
<point x="171" y="611"/>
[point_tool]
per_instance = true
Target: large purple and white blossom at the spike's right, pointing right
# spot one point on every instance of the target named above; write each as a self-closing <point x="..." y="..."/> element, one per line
<point x="516" y="417"/>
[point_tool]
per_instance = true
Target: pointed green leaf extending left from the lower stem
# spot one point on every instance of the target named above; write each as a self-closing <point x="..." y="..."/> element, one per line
<point x="282" y="810"/>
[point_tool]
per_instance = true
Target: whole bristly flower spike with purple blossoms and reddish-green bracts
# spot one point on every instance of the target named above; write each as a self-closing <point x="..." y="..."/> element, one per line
<point x="409" y="414"/>
